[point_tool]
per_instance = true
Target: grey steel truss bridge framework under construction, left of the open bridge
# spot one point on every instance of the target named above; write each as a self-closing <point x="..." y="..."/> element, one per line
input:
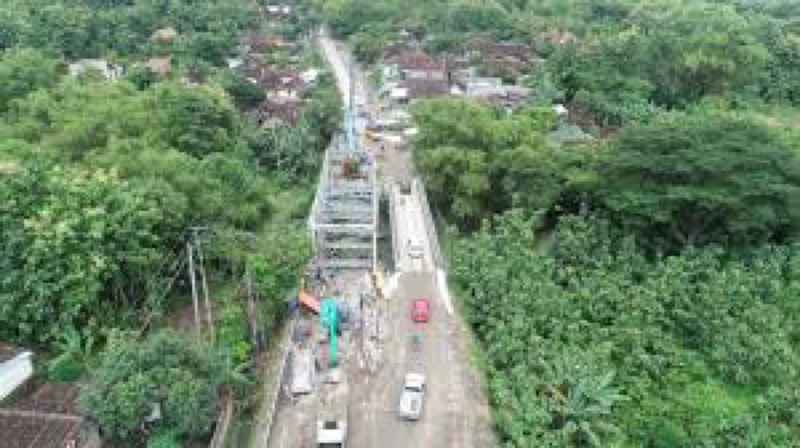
<point x="344" y="217"/>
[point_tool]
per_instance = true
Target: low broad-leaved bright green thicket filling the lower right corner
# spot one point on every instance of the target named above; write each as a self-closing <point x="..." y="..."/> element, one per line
<point x="589" y="343"/>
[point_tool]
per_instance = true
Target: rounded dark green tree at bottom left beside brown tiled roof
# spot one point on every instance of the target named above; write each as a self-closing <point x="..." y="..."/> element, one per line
<point x="176" y="374"/>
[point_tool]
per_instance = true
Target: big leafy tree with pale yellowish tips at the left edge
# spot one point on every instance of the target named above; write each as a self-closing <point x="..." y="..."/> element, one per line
<point x="77" y="247"/>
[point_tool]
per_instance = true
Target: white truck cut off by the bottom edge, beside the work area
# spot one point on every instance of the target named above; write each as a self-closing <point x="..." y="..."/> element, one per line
<point x="332" y="419"/>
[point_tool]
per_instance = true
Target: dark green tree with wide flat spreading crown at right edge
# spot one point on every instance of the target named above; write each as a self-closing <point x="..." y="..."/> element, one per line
<point x="701" y="177"/>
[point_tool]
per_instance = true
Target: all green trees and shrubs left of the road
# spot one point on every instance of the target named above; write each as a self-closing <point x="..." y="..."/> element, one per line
<point x="101" y="182"/>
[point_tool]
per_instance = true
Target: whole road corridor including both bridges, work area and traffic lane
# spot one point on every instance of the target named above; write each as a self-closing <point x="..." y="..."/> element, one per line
<point x="353" y="340"/>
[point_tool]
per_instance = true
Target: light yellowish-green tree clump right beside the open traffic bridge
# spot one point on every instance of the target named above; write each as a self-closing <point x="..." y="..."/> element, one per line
<point x="476" y="160"/>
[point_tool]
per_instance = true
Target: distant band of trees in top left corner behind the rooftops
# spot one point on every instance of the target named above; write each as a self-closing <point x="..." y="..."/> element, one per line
<point x="79" y="29"/>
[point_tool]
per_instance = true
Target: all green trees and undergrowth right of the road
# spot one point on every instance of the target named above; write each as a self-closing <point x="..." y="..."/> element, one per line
<point x="662" y="311"/>
